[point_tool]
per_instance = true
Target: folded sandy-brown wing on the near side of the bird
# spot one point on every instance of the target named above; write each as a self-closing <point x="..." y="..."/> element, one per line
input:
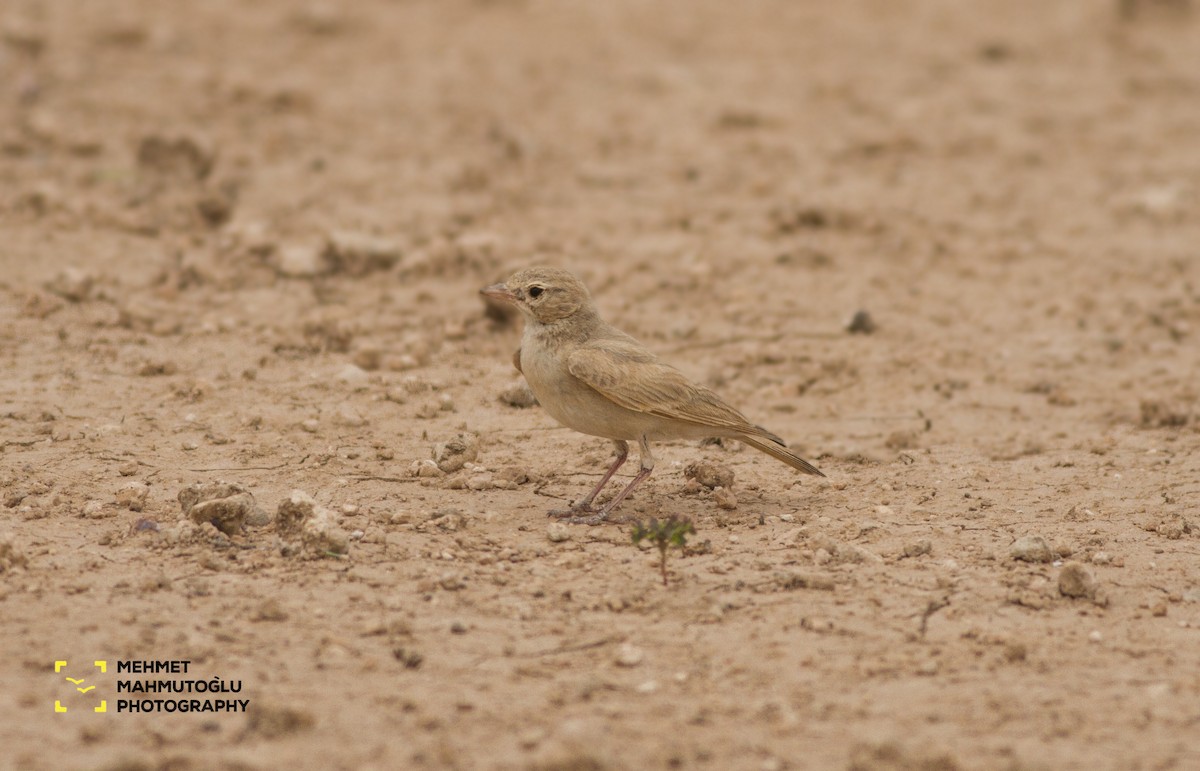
<point x="632" y="376"/>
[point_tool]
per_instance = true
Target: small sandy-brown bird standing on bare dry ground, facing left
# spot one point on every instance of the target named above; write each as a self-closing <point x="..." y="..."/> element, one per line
<point x="597" y="380"/>
